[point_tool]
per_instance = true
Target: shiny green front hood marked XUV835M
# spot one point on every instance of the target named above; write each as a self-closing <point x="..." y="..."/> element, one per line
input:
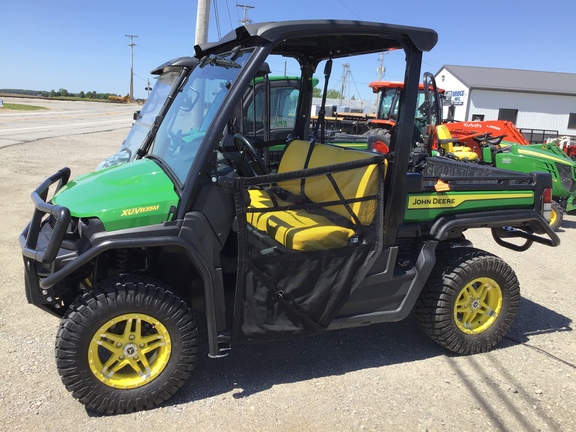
<point x="131" y="195"/>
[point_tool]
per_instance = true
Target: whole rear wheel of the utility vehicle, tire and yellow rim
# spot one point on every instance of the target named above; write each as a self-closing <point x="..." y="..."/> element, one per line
<point x="469" y="302"/>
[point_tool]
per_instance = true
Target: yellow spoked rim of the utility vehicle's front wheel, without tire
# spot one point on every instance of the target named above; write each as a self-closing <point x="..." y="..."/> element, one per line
<point x="129" y="351"/>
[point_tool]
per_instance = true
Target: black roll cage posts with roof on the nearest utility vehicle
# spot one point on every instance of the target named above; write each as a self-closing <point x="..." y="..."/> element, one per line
<point x="311" y="42"/>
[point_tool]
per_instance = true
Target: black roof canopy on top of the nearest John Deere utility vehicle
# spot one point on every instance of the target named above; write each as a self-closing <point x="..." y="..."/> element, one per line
<point x="323" y="39"/>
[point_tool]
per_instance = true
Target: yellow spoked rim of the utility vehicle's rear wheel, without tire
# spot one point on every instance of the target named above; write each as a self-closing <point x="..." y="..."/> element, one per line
<point x="478" y="306"/>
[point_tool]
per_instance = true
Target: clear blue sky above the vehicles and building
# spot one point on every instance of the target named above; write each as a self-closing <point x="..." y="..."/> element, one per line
<point x="81" y="45"/>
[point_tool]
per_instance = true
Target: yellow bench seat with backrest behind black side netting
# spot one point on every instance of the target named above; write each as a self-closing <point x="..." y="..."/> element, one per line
<point x="305" y="231"/>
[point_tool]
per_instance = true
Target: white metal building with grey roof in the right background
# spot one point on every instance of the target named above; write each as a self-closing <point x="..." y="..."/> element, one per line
<point x="543" y="101"/>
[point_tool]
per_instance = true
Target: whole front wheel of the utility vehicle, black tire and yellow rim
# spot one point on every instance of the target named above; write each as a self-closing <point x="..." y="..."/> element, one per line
<point x="126" y="346"/>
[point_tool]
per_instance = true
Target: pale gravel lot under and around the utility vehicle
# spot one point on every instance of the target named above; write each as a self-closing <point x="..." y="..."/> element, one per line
<point x="384" y="377"/>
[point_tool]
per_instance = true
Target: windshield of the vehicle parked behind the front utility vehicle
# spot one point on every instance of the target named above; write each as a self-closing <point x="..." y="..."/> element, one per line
<point x="144" y="121"/>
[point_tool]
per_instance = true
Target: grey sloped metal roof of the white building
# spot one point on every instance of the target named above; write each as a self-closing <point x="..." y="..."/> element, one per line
<point x="516" y="80"/>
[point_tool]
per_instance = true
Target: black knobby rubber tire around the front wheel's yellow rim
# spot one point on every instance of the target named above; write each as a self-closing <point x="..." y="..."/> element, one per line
<point x="114" y="295"/>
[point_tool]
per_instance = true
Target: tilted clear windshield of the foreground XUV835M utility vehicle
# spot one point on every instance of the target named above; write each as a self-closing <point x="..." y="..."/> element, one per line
<point x="195" y="106"/>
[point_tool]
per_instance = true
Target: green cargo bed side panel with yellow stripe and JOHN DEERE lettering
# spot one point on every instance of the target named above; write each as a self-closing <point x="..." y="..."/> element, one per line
<point x="424" y="207"/>
